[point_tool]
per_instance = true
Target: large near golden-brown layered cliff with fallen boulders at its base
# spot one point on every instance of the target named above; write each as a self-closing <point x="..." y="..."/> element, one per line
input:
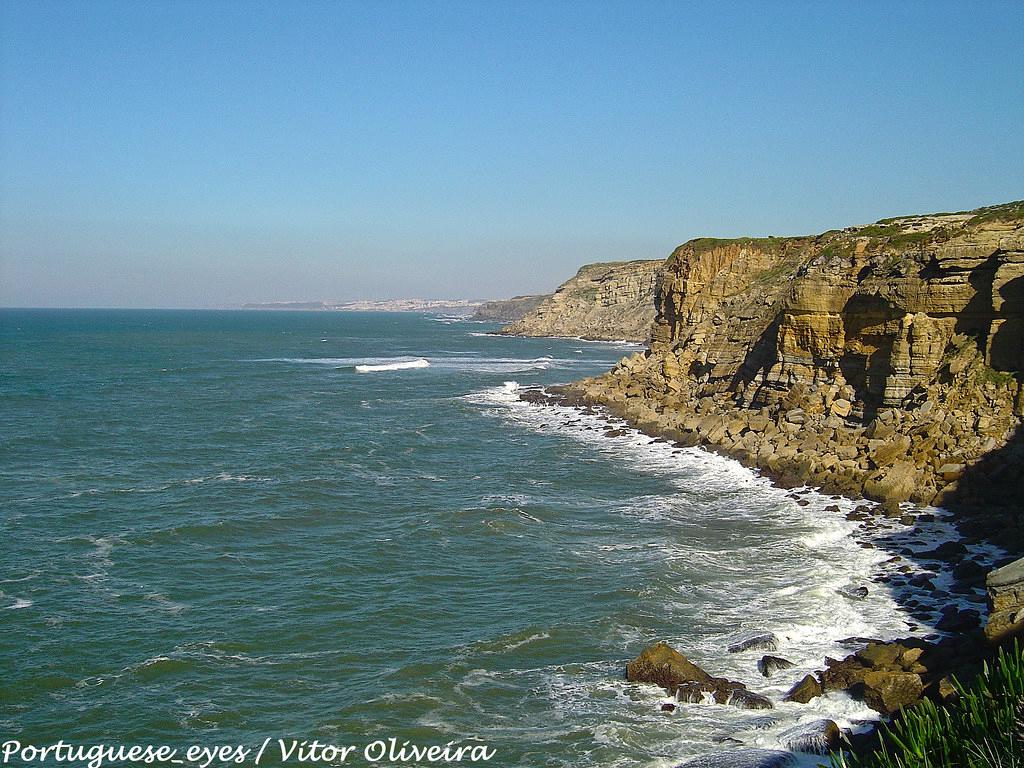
<point x="882" y="360"/>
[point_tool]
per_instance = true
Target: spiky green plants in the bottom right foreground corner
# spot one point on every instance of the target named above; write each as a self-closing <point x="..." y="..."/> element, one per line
<point x="984" y="729"/>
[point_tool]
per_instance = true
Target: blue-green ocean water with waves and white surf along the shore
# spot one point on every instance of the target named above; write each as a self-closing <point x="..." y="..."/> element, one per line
<point x="222" y="528"/>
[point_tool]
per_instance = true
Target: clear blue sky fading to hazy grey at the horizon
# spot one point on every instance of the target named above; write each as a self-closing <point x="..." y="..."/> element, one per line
<point x="204" y="154"/>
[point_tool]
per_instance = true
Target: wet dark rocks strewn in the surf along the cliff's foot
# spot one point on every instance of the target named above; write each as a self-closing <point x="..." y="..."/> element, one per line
<point x="946" y="585"/>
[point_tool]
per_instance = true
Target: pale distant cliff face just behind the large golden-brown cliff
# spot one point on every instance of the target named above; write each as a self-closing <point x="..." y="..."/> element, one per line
<point x="610" y="302"/>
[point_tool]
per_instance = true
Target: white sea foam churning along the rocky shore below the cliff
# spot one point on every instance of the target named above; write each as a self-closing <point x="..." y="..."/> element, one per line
<point x="795" y="594"/>
